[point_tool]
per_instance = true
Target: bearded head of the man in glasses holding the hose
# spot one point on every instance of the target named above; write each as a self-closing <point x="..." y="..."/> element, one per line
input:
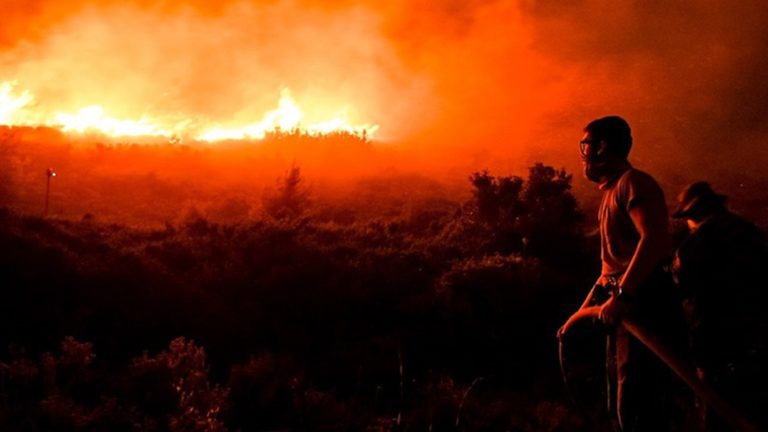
<point x="606" y="142"/>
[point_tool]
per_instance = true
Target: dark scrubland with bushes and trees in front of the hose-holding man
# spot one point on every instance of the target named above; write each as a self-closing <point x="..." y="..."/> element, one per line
<point x="440" y="316"/>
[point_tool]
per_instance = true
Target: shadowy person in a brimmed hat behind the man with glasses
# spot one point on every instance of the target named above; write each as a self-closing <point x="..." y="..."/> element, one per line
<point x="719" y="269"/>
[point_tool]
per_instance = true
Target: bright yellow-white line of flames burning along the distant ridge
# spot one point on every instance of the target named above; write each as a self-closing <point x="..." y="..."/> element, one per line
<point x="16" y="110"/>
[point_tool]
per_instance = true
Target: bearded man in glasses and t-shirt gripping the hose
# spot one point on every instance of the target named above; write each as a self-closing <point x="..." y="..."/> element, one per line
<point x="635" y="247"/>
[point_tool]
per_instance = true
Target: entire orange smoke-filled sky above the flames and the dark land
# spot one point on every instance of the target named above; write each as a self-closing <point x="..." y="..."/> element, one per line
<point x="455" y="84"/>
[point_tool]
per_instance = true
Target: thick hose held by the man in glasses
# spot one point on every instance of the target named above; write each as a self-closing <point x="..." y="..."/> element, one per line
<point x="703" y="390"/>
